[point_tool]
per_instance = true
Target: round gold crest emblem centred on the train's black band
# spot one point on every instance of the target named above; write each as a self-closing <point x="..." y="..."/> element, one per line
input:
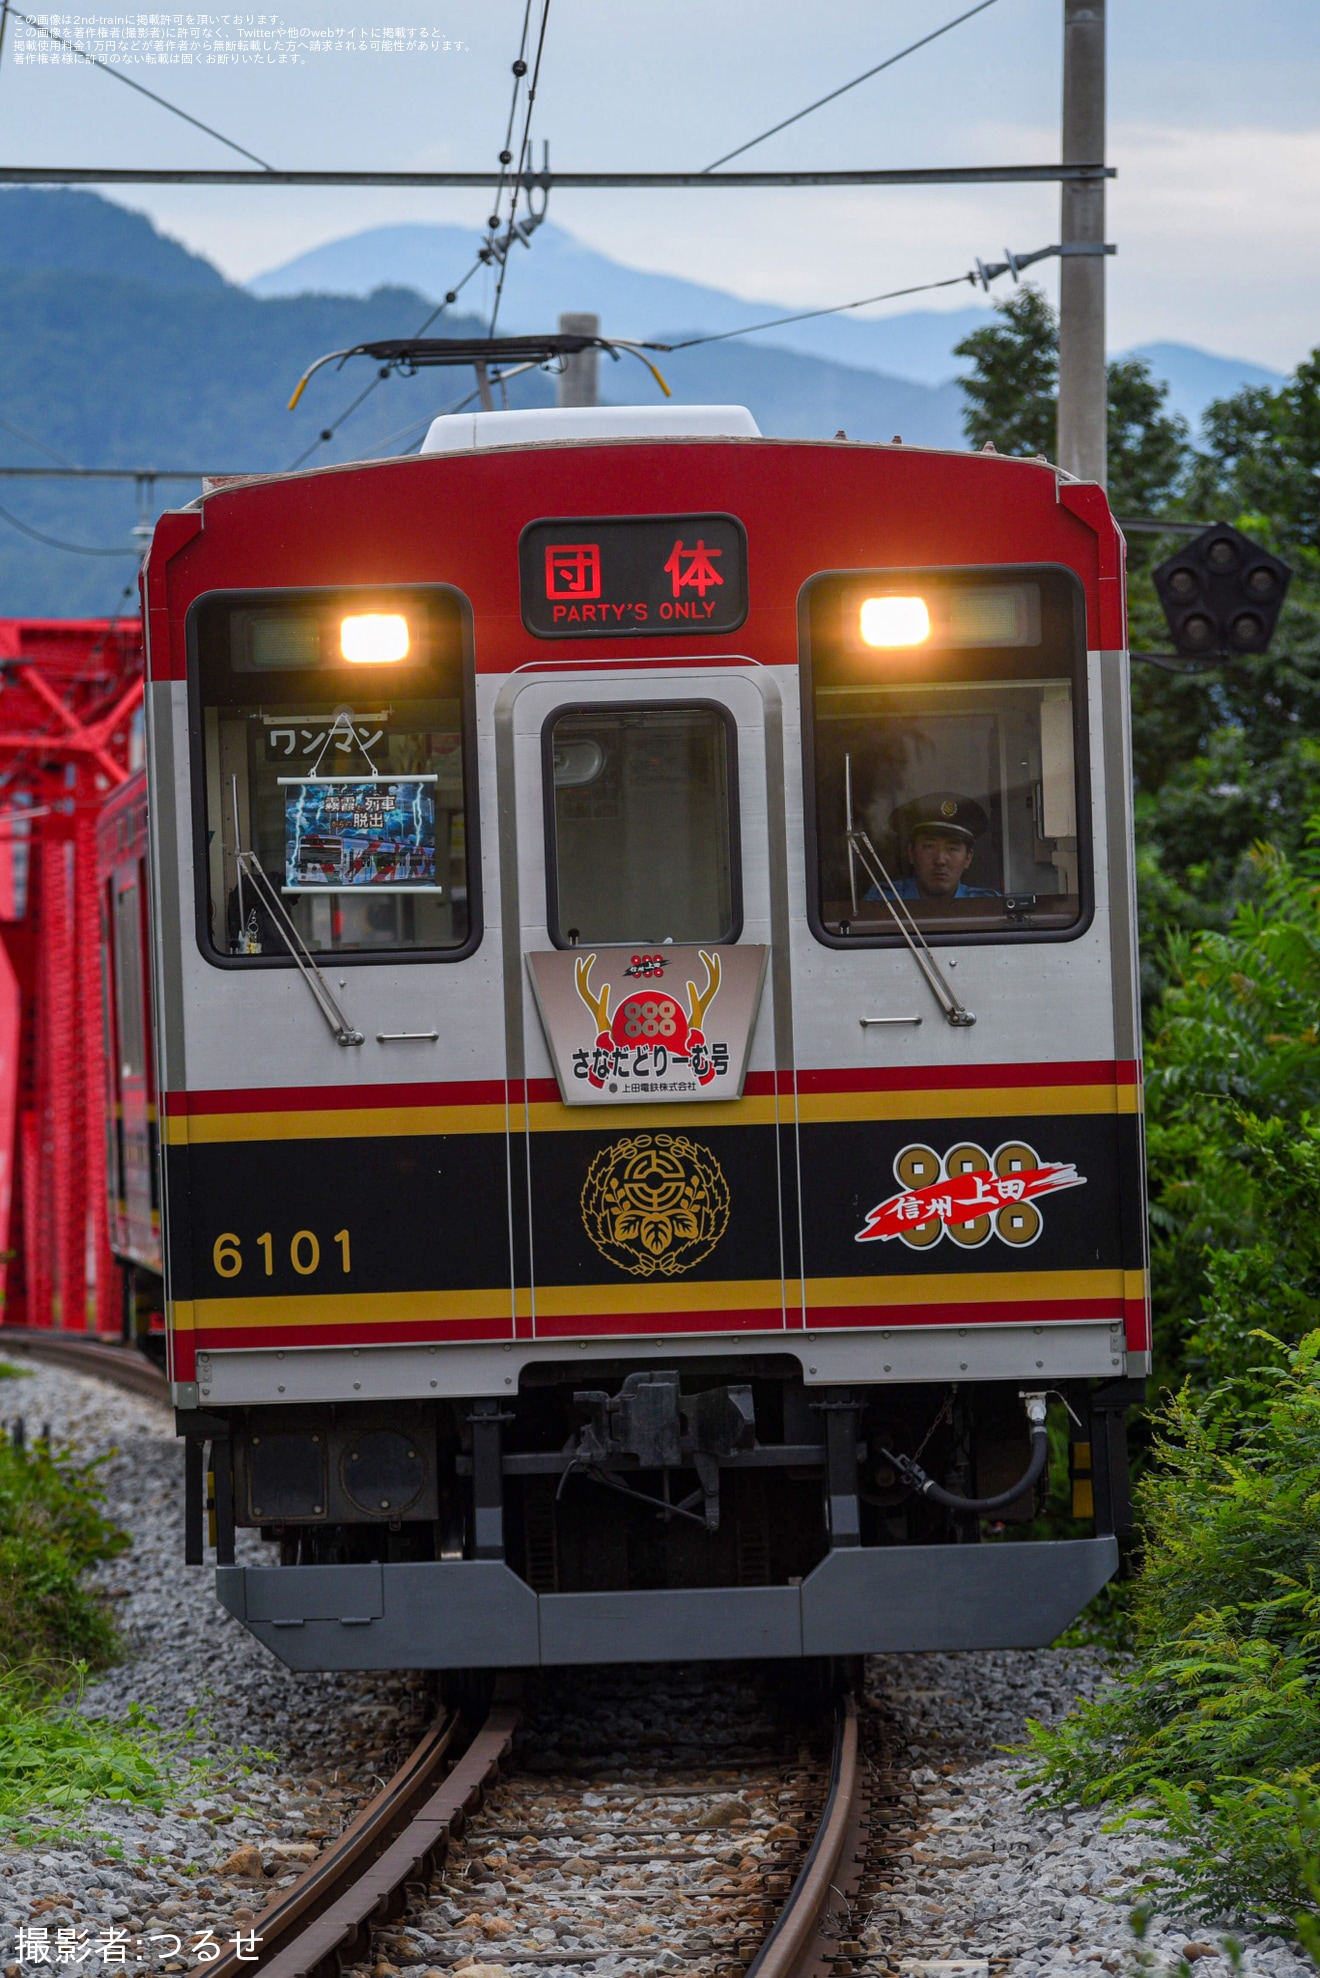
<point x="656" y="1204"/>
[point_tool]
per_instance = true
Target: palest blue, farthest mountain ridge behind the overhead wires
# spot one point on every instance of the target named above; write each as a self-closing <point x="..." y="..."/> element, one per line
<point x="561" y="274"/>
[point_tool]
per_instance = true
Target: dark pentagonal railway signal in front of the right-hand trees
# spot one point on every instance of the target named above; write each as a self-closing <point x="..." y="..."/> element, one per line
<point x="1222" y="594"/>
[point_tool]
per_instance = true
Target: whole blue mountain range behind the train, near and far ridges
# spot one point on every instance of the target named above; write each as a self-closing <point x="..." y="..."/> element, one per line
<point x="124" y="349"/>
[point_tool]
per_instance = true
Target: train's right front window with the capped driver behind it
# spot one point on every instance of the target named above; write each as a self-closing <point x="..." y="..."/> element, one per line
<point x="947" y="741"/>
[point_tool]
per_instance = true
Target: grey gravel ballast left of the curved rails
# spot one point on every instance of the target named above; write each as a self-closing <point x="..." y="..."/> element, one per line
<point x="288" y="1759"/>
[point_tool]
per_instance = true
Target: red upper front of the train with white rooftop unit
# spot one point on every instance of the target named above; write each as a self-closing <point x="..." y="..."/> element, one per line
<point x="456" y="515"/>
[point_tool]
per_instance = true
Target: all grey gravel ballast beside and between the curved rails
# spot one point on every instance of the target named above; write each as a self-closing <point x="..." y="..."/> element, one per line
<point x="973" y="1870"/>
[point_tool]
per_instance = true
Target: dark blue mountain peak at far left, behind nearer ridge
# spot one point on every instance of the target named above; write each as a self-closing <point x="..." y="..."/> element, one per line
<point x="86" y="234"/>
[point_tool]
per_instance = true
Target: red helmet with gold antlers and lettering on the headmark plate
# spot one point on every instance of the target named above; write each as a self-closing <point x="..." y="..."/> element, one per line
<point x="652" y="1032"/>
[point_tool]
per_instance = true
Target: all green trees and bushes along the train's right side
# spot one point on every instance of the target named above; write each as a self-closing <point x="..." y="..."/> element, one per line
<point x="1216" y="1728"/>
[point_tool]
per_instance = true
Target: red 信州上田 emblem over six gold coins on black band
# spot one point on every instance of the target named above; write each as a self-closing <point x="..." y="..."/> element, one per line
<point x="969" y="1196"/>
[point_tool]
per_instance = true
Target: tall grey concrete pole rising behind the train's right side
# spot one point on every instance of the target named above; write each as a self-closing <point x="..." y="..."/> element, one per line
<point x="1082" y="278"/>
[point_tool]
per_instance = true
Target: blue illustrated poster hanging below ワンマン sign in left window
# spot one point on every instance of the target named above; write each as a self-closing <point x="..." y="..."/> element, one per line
<point x="349" y="832"/>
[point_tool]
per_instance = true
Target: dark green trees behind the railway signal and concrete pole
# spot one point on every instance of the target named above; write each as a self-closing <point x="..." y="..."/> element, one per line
<point x="1228" y="759"/>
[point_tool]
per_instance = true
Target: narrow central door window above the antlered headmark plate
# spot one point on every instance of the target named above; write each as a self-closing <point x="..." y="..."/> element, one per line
<point x="642" y="826"/>
